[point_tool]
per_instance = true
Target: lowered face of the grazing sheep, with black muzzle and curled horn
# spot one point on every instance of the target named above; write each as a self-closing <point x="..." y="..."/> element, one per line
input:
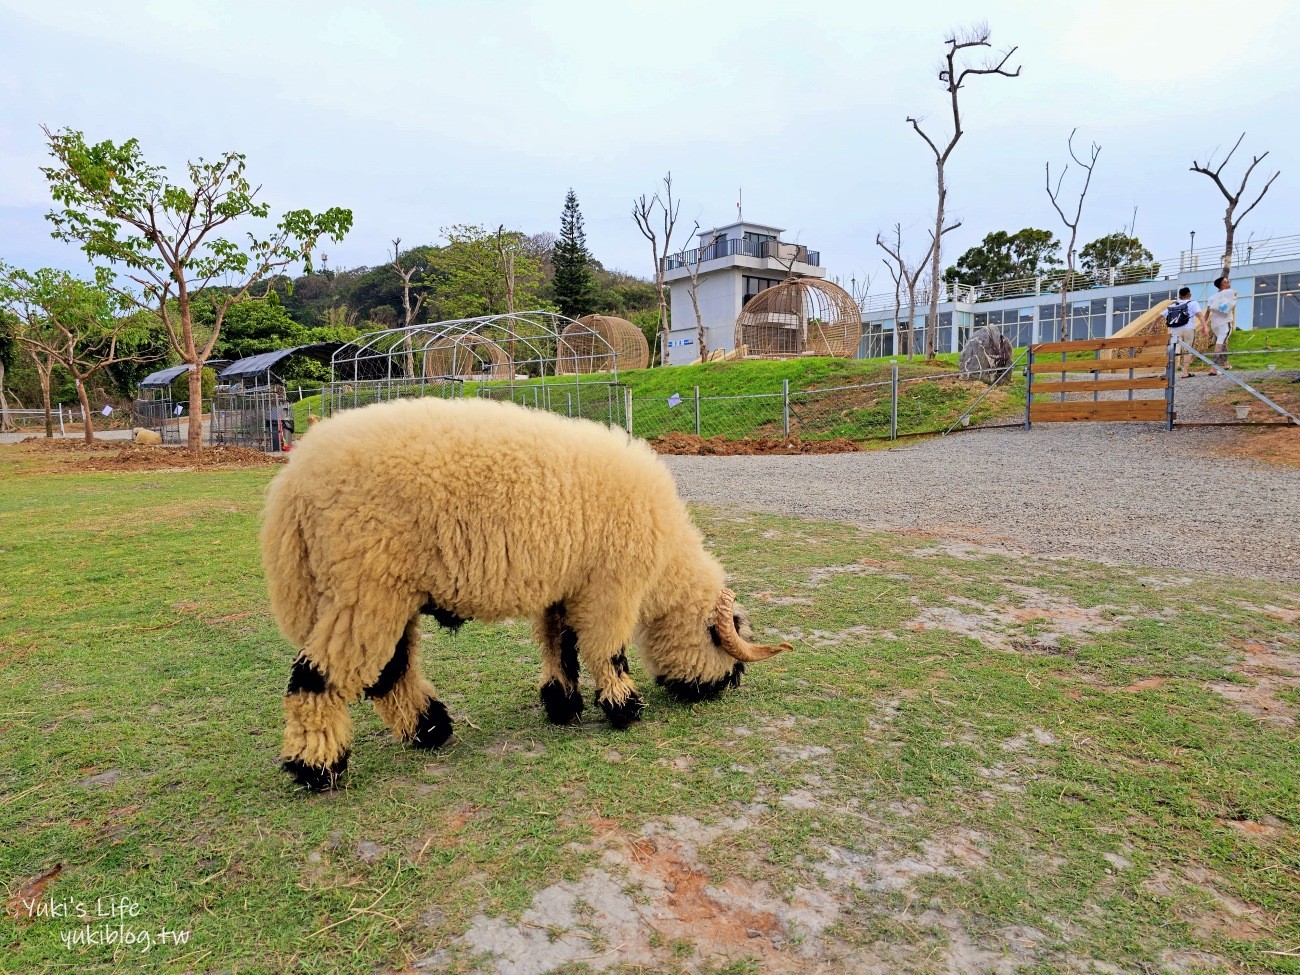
<point x="699" y="656"/>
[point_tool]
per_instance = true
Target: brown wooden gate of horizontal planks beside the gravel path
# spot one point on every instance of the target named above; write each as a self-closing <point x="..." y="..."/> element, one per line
<point x="1104" y="387"/>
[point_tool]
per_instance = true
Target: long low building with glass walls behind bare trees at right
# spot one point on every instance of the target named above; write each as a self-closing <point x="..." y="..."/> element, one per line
<point x="1268" y="298"/>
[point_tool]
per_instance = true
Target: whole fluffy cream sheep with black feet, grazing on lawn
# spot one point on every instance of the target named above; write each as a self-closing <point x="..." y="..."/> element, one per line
<point x="480" y="510"/>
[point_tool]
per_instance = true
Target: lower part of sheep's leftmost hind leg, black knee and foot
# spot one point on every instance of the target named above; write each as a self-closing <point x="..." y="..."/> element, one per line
<point x="318" y="729"/>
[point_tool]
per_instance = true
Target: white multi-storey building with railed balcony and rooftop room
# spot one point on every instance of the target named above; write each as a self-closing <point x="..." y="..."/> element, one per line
<point x="734" y="263"/>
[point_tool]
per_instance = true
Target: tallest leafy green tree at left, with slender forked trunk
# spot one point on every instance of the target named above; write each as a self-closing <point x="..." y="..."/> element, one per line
<point x="172" y="249"/>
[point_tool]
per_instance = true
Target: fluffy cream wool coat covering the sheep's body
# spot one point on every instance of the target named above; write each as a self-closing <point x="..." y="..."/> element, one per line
<point x="487" y="510"/>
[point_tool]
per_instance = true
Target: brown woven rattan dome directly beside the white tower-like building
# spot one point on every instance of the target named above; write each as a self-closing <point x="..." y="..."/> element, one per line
<point x="801" y="317"/>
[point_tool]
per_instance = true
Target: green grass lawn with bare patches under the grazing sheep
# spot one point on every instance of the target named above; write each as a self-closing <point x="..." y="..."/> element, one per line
<point x="1103" y="769"/>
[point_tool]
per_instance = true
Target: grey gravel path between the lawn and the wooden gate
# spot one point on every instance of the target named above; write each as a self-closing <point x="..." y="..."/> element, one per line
<point x="1128" y="493"/>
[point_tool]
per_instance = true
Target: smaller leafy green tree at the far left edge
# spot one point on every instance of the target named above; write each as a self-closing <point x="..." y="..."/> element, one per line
<point x="75" y="324"/>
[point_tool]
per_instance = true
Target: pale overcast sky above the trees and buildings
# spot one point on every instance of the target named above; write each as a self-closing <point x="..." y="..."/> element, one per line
<point x="424" y="115"/>
